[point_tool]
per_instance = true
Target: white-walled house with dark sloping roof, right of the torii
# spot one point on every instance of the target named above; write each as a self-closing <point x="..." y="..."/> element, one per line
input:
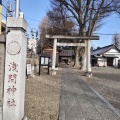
<point x="105" y="56"/>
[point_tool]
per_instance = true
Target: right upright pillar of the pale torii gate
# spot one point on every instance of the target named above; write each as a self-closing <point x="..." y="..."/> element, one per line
<point x="88" y="66"/>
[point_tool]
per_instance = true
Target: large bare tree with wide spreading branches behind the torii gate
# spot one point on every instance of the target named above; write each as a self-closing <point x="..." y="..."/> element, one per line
<point x="88" y="14"/>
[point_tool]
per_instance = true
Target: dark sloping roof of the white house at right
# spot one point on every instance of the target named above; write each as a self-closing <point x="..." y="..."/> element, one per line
<point x="102" y="50"/>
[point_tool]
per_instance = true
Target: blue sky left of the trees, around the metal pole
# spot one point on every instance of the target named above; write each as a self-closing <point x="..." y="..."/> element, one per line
<point x="33" y="11"/>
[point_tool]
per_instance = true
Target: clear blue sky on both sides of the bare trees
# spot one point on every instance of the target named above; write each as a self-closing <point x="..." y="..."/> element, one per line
<point x="35" y="10"/>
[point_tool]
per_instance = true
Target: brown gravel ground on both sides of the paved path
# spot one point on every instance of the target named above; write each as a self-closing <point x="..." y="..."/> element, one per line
<point x="43" y="93"/>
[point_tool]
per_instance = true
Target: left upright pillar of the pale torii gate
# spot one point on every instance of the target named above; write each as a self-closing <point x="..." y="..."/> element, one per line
<point x="54" y="57"/>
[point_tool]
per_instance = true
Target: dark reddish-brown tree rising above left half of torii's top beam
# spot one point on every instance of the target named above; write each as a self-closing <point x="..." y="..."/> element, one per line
<point x="59" y="23"/>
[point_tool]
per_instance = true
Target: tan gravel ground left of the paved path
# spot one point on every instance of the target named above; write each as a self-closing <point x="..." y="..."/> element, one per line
<point x="42" y="96"/>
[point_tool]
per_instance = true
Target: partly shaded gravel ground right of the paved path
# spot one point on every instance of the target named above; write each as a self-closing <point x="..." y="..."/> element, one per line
<point x="105" y="80"/>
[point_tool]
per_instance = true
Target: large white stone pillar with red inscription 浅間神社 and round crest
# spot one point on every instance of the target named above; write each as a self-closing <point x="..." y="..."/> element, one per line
<point x="15" y="69"/>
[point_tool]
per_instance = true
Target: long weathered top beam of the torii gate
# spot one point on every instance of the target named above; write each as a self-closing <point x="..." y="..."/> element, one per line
<point x="73" y="37"/>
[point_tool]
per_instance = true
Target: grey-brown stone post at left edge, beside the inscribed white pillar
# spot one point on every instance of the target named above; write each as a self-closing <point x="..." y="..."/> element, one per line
<point x="2" y="70"/>
